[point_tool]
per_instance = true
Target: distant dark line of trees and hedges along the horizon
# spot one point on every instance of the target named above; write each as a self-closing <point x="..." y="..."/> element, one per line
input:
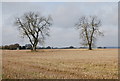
<point x="29" y="46"/>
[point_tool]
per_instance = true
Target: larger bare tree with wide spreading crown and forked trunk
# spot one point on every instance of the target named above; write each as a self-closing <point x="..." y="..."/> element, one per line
<point x="34" y="27"/>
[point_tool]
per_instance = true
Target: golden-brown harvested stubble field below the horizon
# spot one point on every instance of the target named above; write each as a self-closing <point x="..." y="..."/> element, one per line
<point x="60" y="64"/>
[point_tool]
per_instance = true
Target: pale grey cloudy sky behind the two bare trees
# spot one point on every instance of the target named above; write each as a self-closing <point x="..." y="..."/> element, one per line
<point x="65" y="15"/>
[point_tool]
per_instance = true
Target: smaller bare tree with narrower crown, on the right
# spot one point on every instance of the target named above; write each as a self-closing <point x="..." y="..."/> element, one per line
<point x="89" y="30"/>
